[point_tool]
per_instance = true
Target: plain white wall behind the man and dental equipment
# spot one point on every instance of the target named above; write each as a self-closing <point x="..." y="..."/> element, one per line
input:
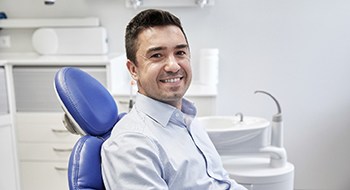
<point x="298" y="50"/>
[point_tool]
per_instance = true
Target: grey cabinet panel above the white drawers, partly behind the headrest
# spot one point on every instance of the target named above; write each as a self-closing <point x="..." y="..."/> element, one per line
<point x="34" y="90"/>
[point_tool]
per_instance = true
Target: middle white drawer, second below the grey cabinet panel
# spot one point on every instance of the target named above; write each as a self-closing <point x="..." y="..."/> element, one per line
<point x="45" y="152"/>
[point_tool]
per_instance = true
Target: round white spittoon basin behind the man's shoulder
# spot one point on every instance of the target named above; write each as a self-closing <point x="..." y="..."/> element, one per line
<point x="231" y="136"/>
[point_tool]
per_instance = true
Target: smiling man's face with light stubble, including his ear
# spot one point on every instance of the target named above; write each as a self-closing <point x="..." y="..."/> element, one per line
<point x="163" y="70"/>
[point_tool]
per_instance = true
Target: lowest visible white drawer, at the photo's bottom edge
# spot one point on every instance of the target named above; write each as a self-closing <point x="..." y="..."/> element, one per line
<point x="44" y="175"/>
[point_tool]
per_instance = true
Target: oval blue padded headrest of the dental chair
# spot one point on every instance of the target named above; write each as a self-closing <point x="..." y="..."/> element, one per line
<point x="89" y="107"/>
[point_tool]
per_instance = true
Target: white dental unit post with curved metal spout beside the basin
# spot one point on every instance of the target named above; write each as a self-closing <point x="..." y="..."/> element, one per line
<point x="276" y="150"/>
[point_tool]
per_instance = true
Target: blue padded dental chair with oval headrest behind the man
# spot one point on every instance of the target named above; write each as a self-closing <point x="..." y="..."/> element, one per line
<point x="89" y="111"/>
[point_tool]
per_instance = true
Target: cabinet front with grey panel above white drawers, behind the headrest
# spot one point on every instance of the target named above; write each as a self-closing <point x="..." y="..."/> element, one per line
<point x="44" y="145"/>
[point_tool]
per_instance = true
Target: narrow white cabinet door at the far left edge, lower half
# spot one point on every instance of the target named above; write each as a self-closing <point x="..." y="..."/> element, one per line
<point x="7" y="159"/>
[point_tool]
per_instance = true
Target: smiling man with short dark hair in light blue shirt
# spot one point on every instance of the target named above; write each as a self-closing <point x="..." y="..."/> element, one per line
<point x="159" y="144"/>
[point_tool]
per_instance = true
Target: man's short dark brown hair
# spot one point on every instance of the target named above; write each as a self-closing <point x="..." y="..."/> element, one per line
<point x="143" y="20"/>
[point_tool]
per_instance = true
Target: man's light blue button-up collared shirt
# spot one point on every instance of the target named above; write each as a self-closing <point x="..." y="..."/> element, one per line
<point x="158" y="147"/>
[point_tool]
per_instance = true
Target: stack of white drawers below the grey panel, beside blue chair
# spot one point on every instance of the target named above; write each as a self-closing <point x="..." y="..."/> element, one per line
<point x="44" y="146"/>
